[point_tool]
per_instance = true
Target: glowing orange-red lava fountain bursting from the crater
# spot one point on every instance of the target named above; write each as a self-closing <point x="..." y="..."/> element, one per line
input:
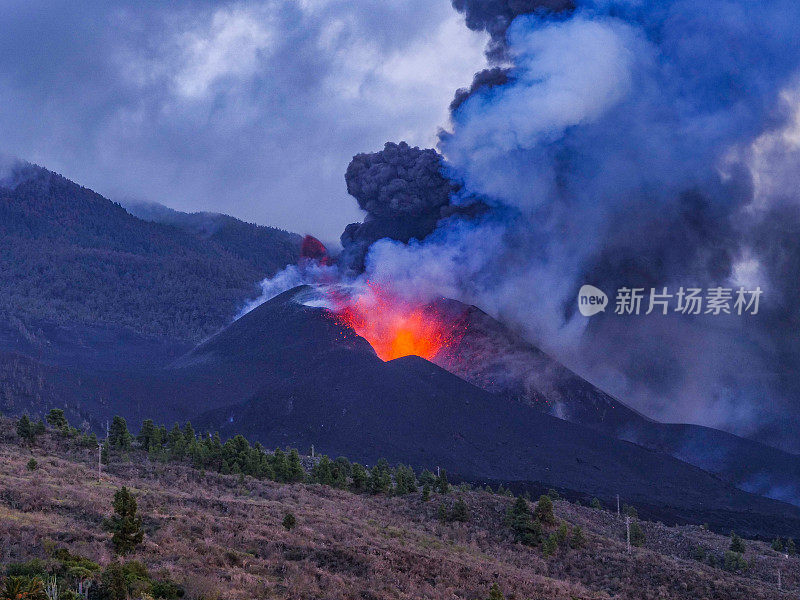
<point x="395" y="327"/>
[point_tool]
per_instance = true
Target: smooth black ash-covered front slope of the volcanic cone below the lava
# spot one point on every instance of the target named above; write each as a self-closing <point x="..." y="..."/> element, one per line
<point x="312" y="380"/>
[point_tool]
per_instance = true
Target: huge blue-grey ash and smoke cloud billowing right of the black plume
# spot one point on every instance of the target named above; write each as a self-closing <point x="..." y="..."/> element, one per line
<point x="643" y="144"/>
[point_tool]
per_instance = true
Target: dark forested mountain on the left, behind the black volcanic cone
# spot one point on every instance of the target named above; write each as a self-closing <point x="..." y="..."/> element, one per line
<point x="71" y="258"/>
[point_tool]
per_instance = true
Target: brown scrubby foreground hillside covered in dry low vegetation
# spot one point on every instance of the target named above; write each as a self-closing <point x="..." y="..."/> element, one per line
<point x="221" y="537"/>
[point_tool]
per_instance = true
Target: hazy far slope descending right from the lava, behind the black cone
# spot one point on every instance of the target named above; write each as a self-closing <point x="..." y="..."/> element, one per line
<point x="498" y="360"/>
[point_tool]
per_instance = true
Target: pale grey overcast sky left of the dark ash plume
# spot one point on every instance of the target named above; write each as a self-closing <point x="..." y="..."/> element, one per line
<point x="248" y="108"/>
